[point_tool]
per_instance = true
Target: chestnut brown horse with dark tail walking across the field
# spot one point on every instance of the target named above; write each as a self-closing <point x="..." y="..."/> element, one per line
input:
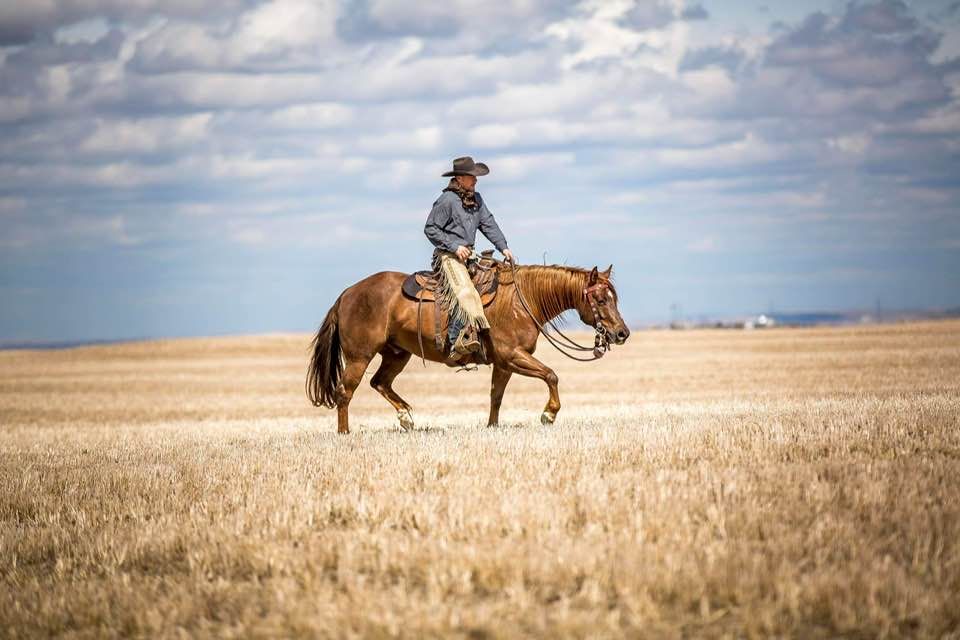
<point x="373" y="317"/>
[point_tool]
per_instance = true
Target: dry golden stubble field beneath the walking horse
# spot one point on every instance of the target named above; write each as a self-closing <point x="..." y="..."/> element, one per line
<point x="800" y="483"/>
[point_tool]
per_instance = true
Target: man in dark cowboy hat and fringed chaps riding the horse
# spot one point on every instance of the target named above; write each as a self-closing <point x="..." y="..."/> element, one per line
<point x="452" y="228"/>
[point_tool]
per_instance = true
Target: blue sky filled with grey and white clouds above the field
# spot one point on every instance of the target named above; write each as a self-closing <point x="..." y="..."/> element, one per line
<point x="177" y="167"/>
